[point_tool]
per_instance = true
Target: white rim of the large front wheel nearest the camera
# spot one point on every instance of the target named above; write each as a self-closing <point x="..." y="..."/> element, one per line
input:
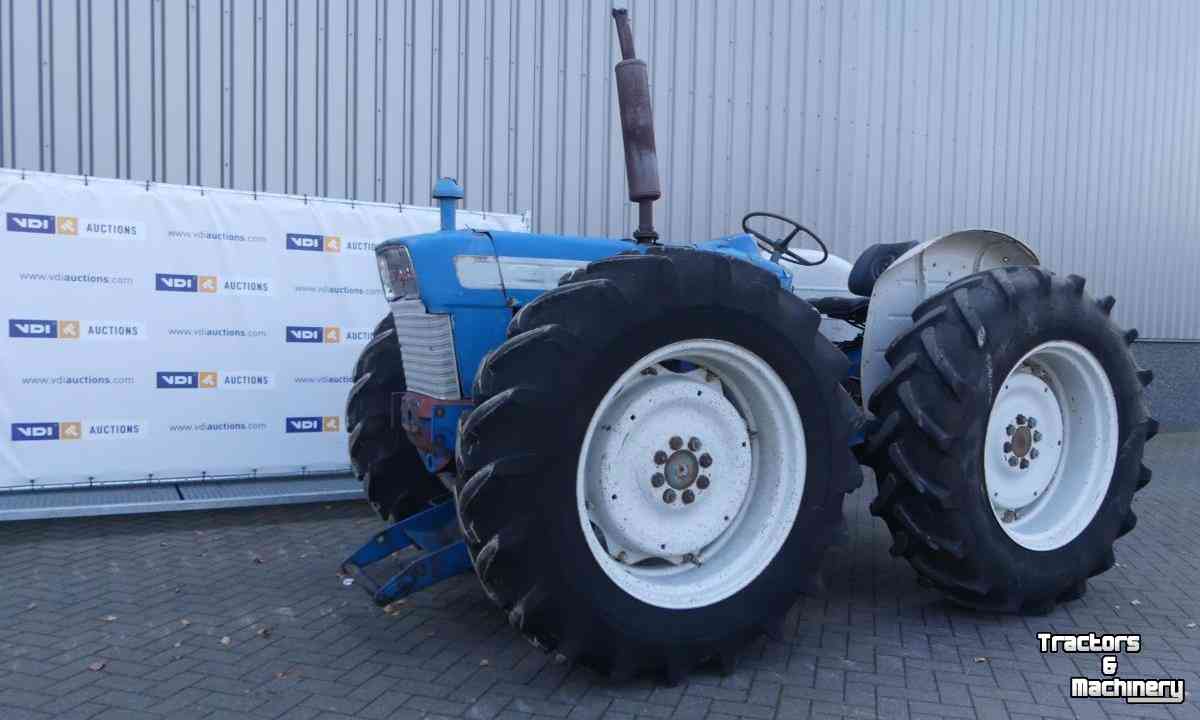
<point x="679" y="553"/>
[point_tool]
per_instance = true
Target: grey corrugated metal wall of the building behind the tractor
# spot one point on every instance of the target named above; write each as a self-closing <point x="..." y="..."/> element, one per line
<point x="1072" y="124"/>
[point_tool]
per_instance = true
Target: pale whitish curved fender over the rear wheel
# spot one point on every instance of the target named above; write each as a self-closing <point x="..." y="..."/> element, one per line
<point x="922" y="273"/>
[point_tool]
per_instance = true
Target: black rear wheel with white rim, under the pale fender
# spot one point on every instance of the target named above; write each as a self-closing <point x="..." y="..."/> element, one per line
<point x="1010" y="441"/>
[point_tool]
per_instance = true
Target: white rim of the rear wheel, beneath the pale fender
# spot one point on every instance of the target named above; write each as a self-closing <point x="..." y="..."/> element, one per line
<point x="1052" y="446"/>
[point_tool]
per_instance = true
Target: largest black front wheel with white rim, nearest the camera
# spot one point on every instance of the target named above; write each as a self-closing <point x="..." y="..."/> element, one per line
<point x="657" y="463"/>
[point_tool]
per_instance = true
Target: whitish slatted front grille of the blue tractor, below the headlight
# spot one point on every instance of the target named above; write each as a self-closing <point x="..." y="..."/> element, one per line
<point x="427" y="344"/>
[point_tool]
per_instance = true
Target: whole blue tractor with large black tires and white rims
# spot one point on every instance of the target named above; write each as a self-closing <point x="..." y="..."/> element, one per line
<point x="643" y="448"/>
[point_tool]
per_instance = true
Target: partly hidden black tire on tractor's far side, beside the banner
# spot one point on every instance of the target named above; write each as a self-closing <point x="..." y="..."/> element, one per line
<point x="393" y="476"/>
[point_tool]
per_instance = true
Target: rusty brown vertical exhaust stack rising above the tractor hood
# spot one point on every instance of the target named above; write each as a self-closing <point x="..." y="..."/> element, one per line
<point x="638" y="130"/>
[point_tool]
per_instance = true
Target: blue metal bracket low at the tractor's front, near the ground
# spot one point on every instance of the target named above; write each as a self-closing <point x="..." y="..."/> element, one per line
<point x="435" y="532"/>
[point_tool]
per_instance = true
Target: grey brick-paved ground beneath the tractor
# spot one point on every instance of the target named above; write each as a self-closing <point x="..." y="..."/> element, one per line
<point x="239" y="615"/>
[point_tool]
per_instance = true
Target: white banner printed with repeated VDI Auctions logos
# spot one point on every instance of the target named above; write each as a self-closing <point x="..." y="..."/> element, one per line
<point x="157" y="332"/>
